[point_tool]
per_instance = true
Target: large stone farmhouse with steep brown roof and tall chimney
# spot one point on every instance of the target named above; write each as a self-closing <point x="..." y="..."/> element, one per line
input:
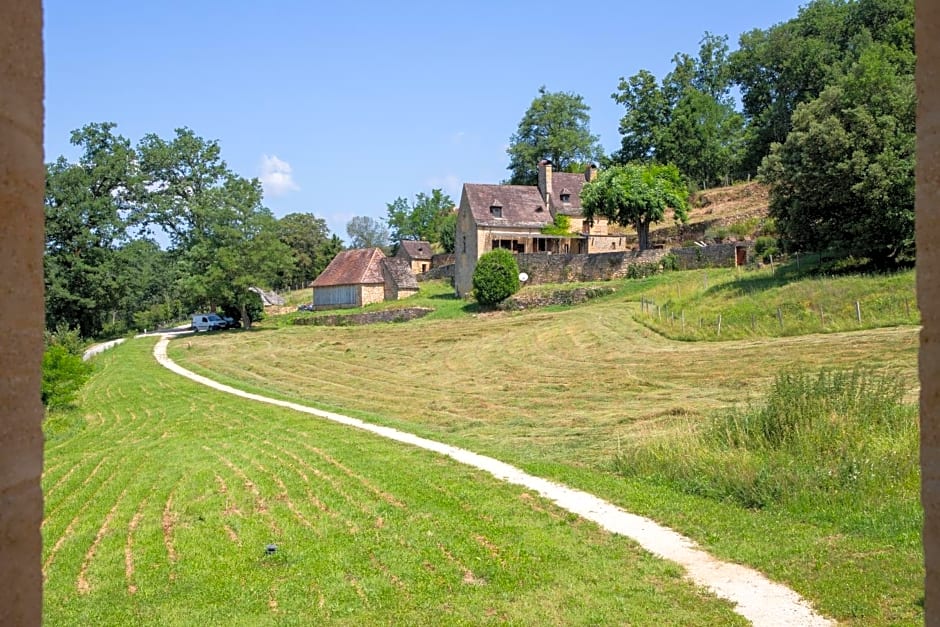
<point x="514" y="217"/>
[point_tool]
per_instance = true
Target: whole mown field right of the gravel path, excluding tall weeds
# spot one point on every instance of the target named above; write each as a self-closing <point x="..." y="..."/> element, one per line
<point x="564" y="392"/>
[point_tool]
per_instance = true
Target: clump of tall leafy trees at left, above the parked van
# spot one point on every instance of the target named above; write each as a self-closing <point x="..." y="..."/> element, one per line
<point x="104" y="271"/>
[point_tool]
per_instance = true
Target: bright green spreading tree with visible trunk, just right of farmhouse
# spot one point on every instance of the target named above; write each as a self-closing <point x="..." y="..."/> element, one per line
<point x="636" y="195"/>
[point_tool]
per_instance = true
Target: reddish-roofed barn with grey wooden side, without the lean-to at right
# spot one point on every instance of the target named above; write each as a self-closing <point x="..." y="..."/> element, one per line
<point x="353" y="279"/>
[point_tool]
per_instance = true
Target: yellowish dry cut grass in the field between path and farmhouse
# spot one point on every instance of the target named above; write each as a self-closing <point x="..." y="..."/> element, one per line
<point x="564" y="386"/>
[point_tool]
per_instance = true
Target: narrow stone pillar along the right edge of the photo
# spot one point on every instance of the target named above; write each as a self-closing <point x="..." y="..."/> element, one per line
<point x="928" y="287"/>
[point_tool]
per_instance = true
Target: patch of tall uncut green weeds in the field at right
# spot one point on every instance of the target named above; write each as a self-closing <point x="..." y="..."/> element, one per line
<point x="833" y="433"/>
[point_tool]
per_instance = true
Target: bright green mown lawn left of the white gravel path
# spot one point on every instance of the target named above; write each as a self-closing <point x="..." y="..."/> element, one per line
<point x="162" y="496"/>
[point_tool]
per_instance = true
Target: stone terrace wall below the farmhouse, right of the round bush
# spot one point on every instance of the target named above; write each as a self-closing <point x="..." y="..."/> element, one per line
<point x="550" y="268"/>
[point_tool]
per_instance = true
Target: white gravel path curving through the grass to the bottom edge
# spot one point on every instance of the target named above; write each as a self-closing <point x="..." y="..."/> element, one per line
<point x="756" y="598"/>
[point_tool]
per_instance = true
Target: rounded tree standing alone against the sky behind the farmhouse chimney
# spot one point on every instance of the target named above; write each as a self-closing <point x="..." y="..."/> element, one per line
<point x="555" y="127"/>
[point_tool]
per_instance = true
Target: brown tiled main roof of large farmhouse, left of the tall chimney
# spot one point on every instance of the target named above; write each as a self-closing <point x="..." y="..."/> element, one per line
<point x="519" y="205"/>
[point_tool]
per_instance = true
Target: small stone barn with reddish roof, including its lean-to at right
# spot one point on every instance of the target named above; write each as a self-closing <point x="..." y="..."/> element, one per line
<point x="356" y="278"/>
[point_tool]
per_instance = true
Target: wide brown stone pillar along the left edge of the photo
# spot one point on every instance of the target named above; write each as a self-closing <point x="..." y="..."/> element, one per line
<point x="21" y="310"/>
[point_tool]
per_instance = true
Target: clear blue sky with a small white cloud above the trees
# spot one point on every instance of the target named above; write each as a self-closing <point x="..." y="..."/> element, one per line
<point x="341" y="107"/>
